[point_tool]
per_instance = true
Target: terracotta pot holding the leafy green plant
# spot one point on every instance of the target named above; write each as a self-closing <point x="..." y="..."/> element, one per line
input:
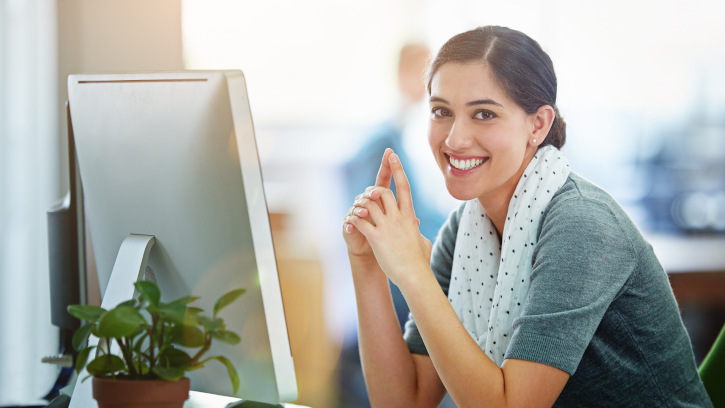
<point x="110" y="393"/>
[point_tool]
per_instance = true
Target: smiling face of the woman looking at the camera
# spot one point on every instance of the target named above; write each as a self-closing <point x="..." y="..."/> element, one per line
<point x="480" y="138"/>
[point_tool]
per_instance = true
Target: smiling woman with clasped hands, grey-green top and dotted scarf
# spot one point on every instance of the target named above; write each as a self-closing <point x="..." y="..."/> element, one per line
<point x="550" y="295"/>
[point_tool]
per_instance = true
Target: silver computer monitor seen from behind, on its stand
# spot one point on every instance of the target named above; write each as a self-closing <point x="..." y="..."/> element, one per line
<point x="173" y="156"/>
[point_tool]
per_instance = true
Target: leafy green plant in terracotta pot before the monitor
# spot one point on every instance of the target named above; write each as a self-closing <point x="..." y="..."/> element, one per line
<point x="157" y="344"/>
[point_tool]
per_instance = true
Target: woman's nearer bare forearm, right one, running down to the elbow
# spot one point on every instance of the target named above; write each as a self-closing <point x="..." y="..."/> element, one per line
<point x="469" y="375"/>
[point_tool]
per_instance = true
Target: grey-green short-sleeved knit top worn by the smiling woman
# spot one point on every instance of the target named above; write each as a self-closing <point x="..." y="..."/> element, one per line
<point x="599" y="307"/>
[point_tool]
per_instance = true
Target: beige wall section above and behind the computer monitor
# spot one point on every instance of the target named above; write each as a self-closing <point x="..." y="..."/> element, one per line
<point x="113" y="36"/>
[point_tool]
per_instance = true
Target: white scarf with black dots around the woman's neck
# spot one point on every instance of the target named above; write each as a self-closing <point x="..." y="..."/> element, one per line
<point x="490" y="281"/>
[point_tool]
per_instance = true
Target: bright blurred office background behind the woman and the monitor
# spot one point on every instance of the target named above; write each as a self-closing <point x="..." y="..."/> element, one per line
<point x="640" y="86"/>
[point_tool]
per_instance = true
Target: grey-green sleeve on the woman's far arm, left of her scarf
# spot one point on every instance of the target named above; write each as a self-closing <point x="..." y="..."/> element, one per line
<point x="441" y="263"/>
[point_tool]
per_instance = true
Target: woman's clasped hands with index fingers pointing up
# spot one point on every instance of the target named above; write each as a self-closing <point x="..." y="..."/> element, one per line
<point x="379" y="226"/>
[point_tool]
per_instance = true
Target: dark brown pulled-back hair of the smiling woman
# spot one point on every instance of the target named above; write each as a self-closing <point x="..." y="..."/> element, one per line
<point x="519" y="65"/>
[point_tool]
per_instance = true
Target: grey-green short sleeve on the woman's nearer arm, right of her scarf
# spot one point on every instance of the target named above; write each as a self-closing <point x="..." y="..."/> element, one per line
<point x="581" y="262"/>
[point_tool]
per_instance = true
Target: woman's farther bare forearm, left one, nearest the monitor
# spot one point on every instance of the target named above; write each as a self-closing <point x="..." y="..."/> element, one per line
<point x="388" y="366"/>
